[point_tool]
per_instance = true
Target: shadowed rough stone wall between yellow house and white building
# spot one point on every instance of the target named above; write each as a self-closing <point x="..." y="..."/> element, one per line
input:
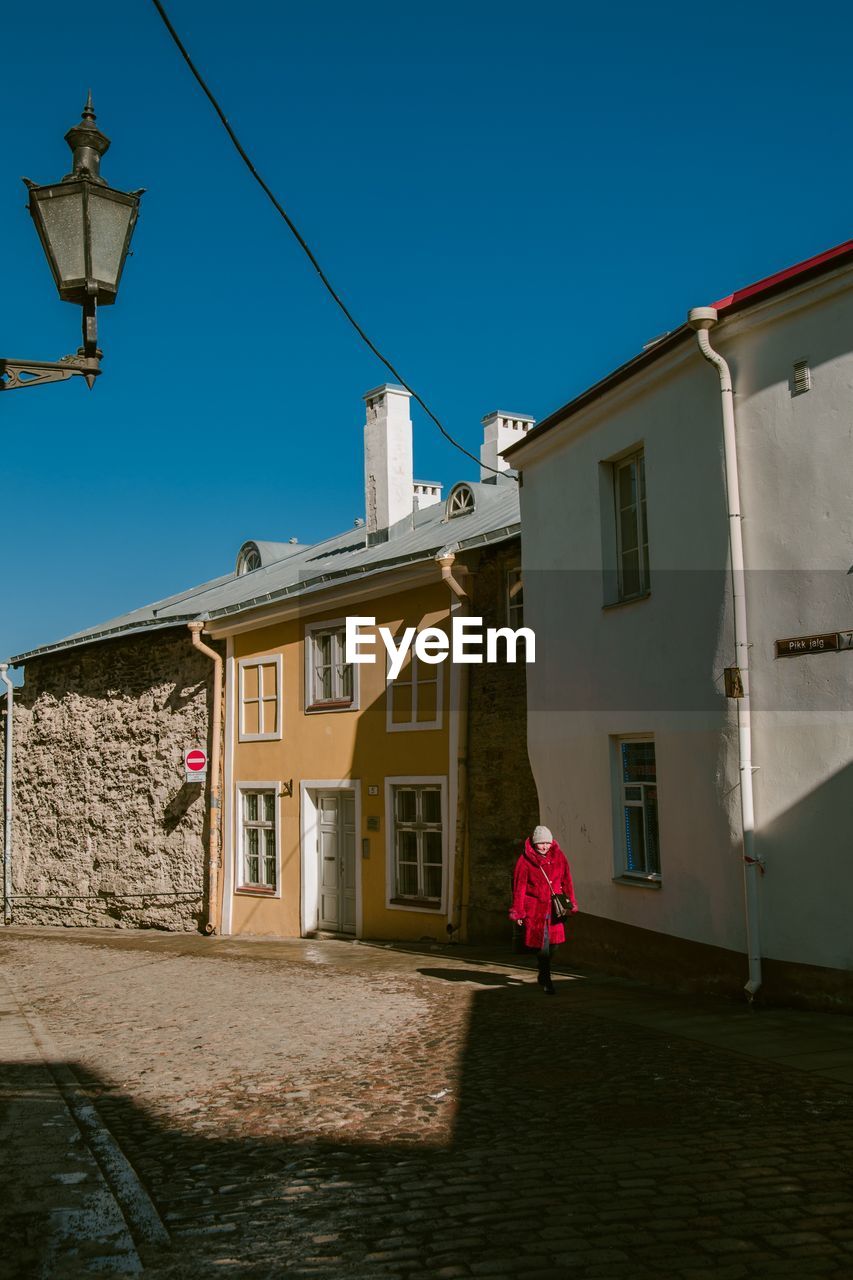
<point x="504" y="807"/>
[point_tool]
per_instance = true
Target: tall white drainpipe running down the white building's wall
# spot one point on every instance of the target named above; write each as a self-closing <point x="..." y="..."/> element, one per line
<point x="701" y="319"/>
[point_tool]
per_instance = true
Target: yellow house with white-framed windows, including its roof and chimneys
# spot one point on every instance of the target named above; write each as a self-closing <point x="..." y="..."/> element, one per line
<point x="344" y="810"/>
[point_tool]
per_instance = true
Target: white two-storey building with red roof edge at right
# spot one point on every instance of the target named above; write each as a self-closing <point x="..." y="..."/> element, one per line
<point x="627" y="560"/>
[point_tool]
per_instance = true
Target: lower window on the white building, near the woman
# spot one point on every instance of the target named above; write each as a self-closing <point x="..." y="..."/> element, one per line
<point x="638" y="849"/>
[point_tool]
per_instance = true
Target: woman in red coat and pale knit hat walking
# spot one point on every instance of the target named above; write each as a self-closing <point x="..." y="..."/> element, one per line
<point x="541" y="871"/>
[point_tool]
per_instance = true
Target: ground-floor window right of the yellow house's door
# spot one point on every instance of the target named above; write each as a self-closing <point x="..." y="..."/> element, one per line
<point x="418" y="844"/>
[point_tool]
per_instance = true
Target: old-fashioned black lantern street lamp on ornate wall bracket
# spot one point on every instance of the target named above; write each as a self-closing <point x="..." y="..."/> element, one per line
<point x="85" y="228"/>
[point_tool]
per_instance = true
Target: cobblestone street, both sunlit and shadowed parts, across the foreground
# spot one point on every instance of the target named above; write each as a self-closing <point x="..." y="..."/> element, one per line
<point x="329" y="1109"/>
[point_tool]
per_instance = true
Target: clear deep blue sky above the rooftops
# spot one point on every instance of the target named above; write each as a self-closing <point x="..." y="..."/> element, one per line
<point x="513" y="199"/>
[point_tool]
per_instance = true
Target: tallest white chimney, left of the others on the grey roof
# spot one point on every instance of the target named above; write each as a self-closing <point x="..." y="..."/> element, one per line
<point x="387" y="460"/>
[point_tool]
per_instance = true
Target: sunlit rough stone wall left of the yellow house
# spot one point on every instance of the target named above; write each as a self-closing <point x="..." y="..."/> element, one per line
<point x="106" y="829"/>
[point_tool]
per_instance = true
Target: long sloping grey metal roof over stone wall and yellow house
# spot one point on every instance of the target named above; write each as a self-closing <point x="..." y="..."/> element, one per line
<point x="307" y="570"/>
